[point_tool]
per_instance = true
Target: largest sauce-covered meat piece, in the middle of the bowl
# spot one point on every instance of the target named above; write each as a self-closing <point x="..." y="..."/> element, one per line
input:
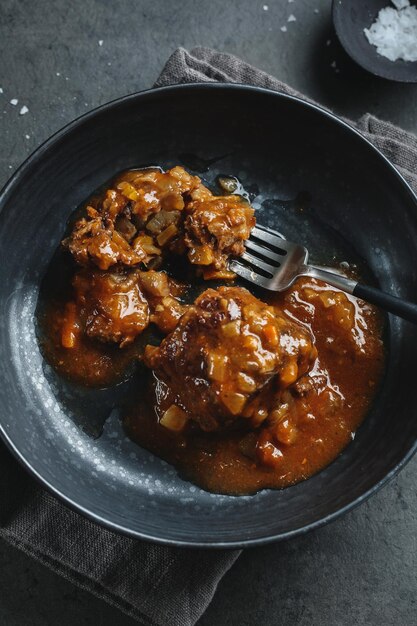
<point x="225" y="349"/>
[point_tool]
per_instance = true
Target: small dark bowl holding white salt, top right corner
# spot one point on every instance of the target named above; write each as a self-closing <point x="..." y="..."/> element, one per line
<point x="350" y="17"/>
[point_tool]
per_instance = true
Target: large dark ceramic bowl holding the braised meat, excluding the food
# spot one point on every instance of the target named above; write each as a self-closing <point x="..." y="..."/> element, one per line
<point x="360" y="209"/>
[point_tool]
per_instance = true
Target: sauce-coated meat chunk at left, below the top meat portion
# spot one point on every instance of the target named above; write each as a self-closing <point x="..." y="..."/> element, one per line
<point x="109" y="306"/>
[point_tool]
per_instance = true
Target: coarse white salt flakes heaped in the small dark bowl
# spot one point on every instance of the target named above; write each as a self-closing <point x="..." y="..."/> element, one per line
<point x="394" y="32"/>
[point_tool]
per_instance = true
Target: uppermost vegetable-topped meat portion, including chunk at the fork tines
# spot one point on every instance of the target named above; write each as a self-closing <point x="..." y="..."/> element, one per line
<point x="148" y="212"/>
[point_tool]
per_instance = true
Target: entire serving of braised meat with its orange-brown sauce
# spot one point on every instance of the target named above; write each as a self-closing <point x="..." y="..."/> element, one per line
<point x="267" y="426"/>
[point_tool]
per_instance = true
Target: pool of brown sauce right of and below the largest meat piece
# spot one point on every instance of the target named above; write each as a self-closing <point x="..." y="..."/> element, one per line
<point x="347" y="372"/>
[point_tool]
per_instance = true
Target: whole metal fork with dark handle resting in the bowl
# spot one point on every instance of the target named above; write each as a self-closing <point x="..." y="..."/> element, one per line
<point x="272" y="262"/>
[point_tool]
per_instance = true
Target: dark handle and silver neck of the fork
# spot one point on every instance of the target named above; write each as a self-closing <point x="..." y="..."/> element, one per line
<point x="392" y="304"/>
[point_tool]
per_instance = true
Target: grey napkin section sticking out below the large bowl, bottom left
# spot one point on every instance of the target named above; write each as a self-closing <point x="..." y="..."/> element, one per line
<point x="154" y="584"/>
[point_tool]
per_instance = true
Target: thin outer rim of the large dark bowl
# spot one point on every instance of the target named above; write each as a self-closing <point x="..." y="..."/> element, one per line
<point x="71" y="501"/>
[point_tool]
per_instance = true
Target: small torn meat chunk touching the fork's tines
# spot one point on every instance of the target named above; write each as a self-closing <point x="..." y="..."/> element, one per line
<point x="216" y="227"/>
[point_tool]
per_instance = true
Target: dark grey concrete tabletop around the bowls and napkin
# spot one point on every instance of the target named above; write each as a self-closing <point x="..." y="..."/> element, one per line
<point x="363" y="568"/>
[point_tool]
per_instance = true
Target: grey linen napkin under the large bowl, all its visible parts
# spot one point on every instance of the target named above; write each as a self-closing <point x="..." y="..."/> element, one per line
<point x="156" y="585"/>
